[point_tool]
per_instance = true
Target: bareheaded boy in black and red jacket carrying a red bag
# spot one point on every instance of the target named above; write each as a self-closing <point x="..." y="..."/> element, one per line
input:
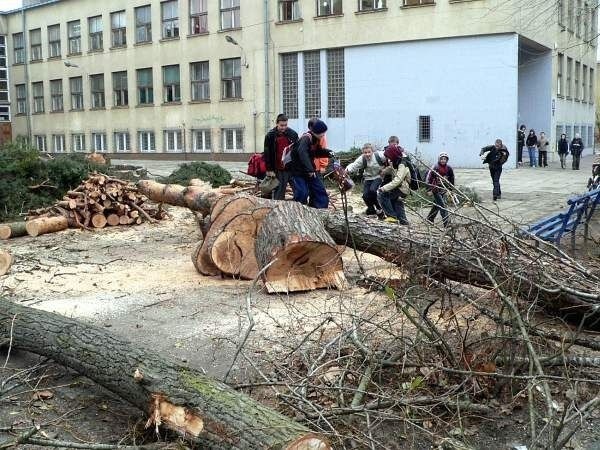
<point x="276" y="140"/>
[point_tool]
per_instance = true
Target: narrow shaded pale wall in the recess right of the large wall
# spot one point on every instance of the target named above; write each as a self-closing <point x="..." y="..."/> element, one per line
<point x="535" y="92"/>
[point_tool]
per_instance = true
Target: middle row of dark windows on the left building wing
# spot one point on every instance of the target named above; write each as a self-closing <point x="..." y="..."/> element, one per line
<point x="231" y="88"/>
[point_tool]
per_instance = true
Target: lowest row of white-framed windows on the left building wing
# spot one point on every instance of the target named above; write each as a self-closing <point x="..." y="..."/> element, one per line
<point x="173" y="141"/>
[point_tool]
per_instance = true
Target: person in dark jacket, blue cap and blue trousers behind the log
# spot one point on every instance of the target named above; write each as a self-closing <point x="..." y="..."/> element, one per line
<point x="305" y="181"/>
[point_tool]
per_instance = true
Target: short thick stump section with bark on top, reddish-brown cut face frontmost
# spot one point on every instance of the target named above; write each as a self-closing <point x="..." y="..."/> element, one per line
<point x="298" y="251"/>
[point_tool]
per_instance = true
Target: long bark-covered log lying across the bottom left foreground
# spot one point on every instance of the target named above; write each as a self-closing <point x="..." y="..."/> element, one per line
<point x="204" y="410"/>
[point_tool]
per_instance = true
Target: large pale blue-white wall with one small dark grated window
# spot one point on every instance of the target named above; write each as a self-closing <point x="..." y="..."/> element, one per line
<point x="467" y="85"/>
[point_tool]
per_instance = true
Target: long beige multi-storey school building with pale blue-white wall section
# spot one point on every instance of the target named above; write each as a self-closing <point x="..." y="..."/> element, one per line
<point x="205" y="79"/>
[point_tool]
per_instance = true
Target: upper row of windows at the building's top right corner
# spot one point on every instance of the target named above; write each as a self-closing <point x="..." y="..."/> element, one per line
<point x="579" y="17"/>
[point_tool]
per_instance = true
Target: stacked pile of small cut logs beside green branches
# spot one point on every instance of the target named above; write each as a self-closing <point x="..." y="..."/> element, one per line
<point x="100" y="201"/>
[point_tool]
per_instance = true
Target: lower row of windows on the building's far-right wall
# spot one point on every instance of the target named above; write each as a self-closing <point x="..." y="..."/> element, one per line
<point x="579" y="82"/>
